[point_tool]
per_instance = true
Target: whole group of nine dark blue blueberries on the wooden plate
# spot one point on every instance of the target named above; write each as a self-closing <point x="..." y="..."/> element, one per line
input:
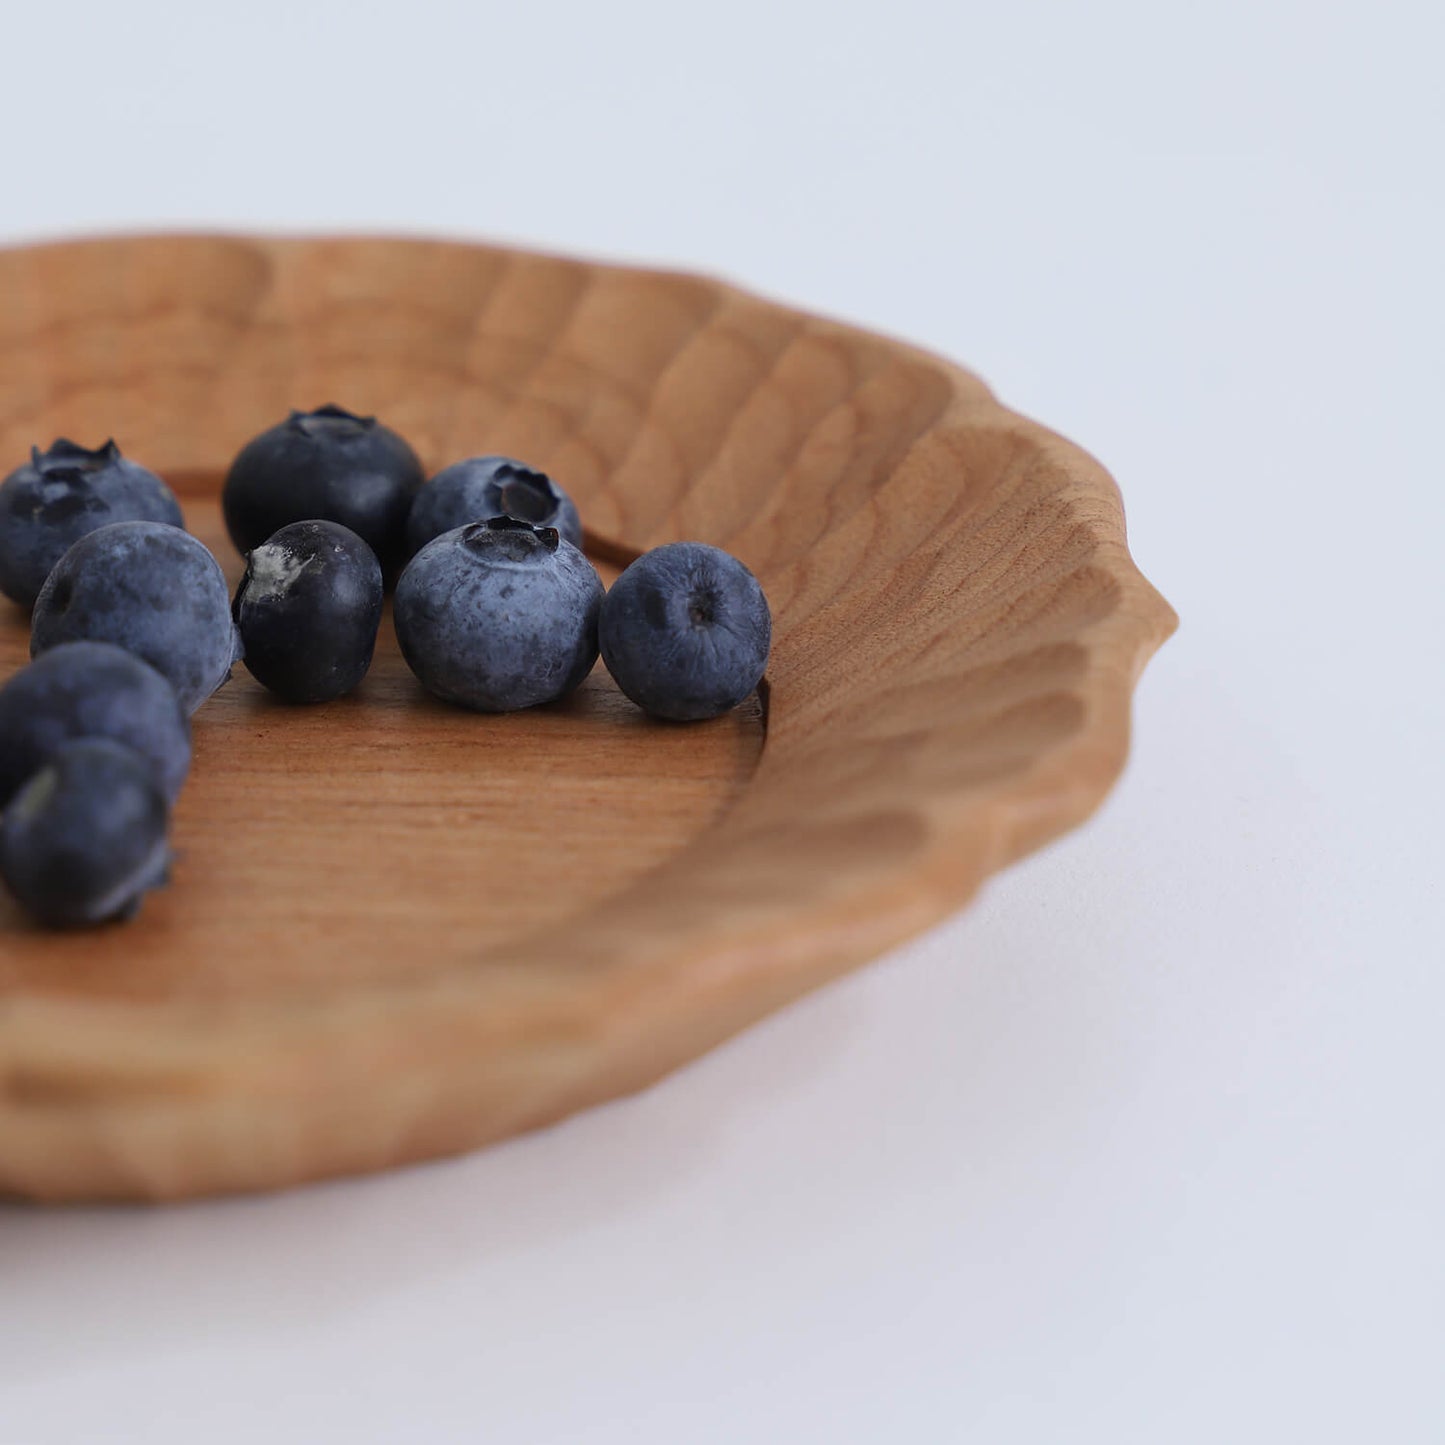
<point x="132" y="626"/>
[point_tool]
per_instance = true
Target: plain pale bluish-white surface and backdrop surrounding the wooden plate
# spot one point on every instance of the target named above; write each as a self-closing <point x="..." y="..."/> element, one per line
<point x="1148" y="1145"/>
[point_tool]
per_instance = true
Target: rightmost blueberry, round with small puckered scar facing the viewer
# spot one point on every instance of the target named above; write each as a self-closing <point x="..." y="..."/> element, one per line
<point x="686" y="632"/>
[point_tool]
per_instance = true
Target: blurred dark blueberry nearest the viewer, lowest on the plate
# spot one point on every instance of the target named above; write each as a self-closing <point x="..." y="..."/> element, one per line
<point x="86" y="839"/>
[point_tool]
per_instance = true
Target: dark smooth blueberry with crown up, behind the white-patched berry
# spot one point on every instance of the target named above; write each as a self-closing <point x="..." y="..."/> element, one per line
<point x="329" y="466"/>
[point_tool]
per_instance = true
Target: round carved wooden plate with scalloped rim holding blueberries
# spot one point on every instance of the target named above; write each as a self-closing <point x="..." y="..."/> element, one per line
<point x="401" y="931"/>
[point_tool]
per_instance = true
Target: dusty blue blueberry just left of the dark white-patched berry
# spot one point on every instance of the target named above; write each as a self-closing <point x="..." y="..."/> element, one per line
<point x="148" y="589"/>
